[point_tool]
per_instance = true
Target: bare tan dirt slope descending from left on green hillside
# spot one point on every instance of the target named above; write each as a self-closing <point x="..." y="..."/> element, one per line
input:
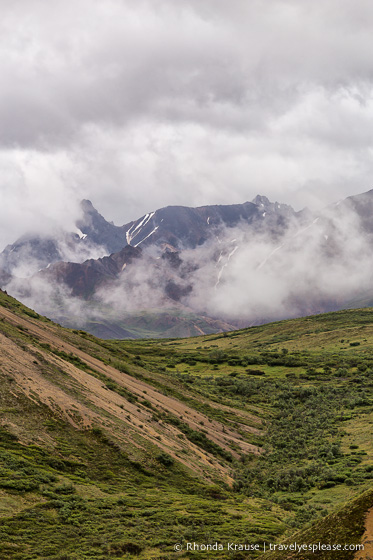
<point x="83" y="399"/>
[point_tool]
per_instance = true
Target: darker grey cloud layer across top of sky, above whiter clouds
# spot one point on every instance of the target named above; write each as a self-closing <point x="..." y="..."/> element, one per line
<point x="66" y="67"/>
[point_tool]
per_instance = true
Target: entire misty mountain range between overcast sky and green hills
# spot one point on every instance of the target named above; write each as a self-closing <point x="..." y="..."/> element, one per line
<point x="182" y="271"/>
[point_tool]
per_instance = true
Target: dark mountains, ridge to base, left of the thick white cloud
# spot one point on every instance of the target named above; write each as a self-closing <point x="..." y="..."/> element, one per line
<point x="149" y="253"/>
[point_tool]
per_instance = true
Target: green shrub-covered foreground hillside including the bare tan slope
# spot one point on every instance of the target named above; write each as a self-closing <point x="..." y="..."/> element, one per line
<point x="124" y="448"/>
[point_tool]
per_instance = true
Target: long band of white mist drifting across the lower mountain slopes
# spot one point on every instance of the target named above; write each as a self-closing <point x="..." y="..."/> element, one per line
<point x="242" y="276"/>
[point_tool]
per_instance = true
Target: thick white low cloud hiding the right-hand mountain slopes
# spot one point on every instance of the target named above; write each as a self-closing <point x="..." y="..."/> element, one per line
<point x="317" y="268"/>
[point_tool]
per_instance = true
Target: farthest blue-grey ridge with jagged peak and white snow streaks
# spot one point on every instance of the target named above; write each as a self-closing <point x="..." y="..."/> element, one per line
<point x="174" y="227"/>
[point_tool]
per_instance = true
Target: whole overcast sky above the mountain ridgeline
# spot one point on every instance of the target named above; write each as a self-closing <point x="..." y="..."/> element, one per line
<point x="139" y="104"/>
